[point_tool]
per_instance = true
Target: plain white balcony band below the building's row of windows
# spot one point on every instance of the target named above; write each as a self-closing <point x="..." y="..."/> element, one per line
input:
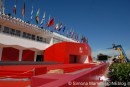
<point x="7" y="40"/>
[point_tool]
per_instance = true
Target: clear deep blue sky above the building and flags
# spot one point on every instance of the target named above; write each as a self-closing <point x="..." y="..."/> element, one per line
<point x="103" y="22"/>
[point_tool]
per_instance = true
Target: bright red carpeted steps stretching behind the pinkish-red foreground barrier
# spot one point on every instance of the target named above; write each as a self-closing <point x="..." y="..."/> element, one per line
<point x="27" y="71"/>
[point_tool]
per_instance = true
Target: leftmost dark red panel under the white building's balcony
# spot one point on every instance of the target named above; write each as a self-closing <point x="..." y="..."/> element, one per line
<point x="10" y="54"/>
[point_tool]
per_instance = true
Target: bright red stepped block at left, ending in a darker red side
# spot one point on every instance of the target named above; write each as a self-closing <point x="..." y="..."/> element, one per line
<point x="21" y="71"/>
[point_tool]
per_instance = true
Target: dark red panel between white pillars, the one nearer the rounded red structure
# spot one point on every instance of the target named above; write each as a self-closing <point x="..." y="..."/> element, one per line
<point x="28" y="55"/>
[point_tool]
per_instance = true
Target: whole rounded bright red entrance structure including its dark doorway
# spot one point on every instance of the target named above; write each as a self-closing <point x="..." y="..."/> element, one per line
<point x="68" y="52"/>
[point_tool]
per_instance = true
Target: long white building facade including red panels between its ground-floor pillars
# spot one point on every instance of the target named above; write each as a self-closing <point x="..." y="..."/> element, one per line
<point x="21" y="41"/>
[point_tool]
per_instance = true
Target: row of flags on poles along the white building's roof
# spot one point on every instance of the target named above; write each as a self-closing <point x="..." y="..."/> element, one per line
<point x="51" y="21"/>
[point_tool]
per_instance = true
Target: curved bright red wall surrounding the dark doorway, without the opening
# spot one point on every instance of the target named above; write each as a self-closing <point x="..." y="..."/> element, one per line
<point x="60" y="52"/>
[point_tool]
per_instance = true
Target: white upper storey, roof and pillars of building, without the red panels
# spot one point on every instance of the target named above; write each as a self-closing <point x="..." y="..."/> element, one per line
<point x="17" y="34"/>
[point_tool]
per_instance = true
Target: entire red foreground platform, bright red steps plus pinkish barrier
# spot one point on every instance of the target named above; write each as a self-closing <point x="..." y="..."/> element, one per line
<point x="72" y="72"/>
